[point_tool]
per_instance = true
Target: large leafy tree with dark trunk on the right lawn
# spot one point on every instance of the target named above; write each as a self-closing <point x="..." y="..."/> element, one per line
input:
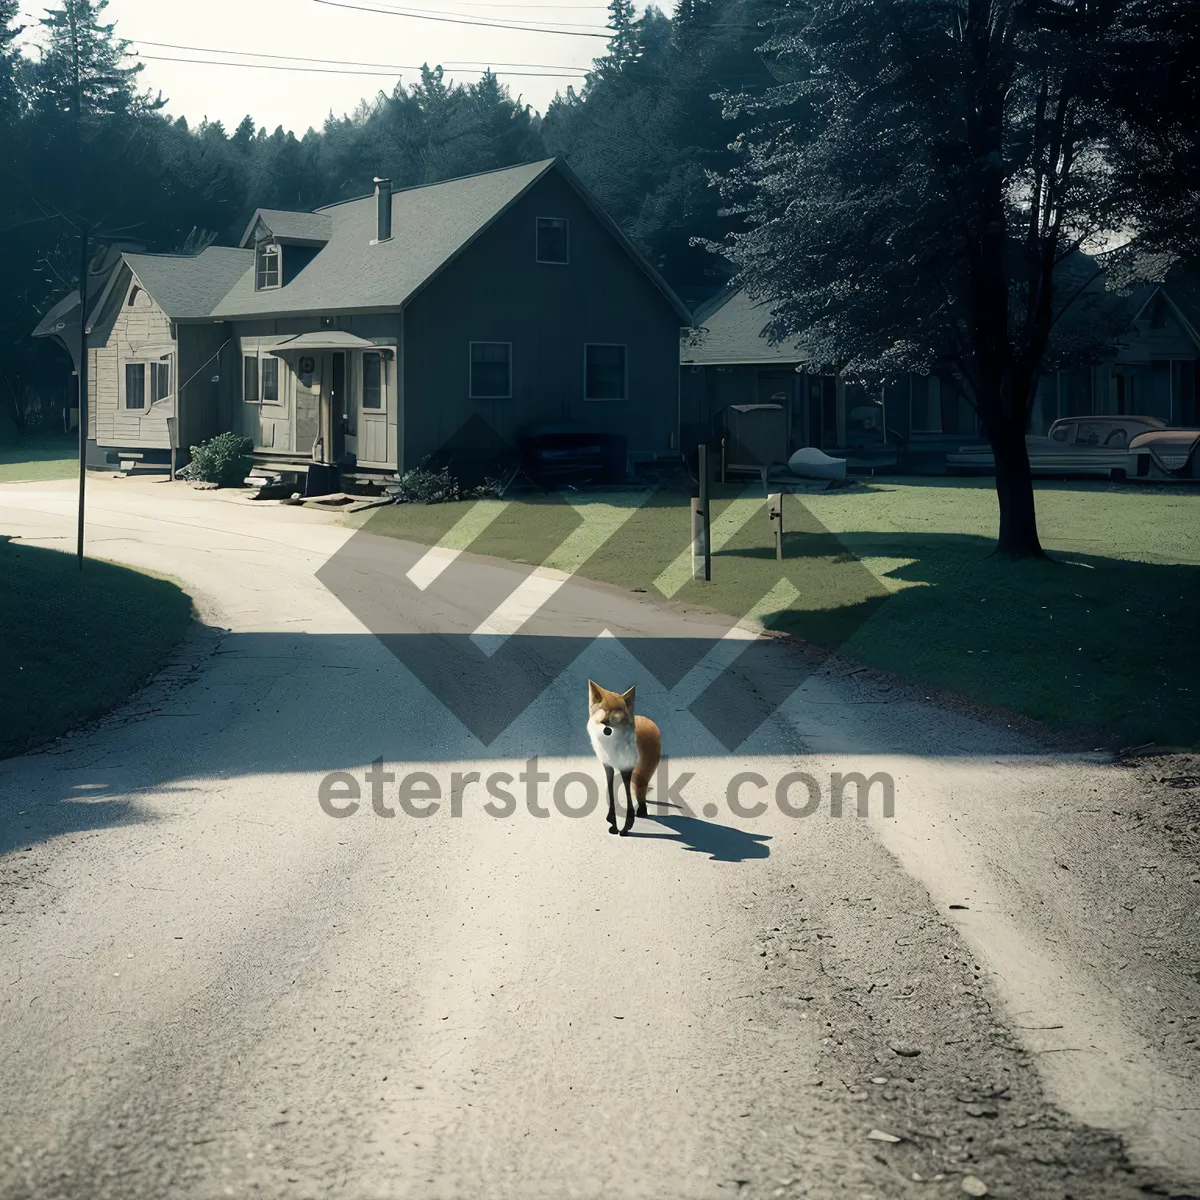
<point x="923" y="179"/>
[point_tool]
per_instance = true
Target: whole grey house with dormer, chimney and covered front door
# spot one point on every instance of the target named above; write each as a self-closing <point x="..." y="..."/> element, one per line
<point x="376" y="333"/>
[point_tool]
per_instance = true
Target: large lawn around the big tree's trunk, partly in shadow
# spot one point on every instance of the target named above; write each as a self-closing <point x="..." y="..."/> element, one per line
<point x="1102" y="641"/>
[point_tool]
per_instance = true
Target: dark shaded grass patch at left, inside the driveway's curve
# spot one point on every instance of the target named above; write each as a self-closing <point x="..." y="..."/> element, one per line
<point x="76" y="644"/>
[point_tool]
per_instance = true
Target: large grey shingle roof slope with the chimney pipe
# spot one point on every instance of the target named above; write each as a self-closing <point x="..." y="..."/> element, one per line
<point x="430" y="225"/>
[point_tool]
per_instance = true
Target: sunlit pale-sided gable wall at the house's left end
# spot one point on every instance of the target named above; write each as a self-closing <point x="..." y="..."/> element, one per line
<point x="130" y="333"/>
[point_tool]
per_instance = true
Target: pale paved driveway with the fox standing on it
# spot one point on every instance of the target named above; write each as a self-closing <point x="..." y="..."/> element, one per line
<point x="213" y="987"/>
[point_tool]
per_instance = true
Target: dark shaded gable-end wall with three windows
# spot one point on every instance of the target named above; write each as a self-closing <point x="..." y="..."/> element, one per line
<point x="497" y="292"/>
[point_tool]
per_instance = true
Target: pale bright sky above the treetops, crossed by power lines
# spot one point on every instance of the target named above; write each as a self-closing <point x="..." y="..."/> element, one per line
<point x="533" y="64"/>
